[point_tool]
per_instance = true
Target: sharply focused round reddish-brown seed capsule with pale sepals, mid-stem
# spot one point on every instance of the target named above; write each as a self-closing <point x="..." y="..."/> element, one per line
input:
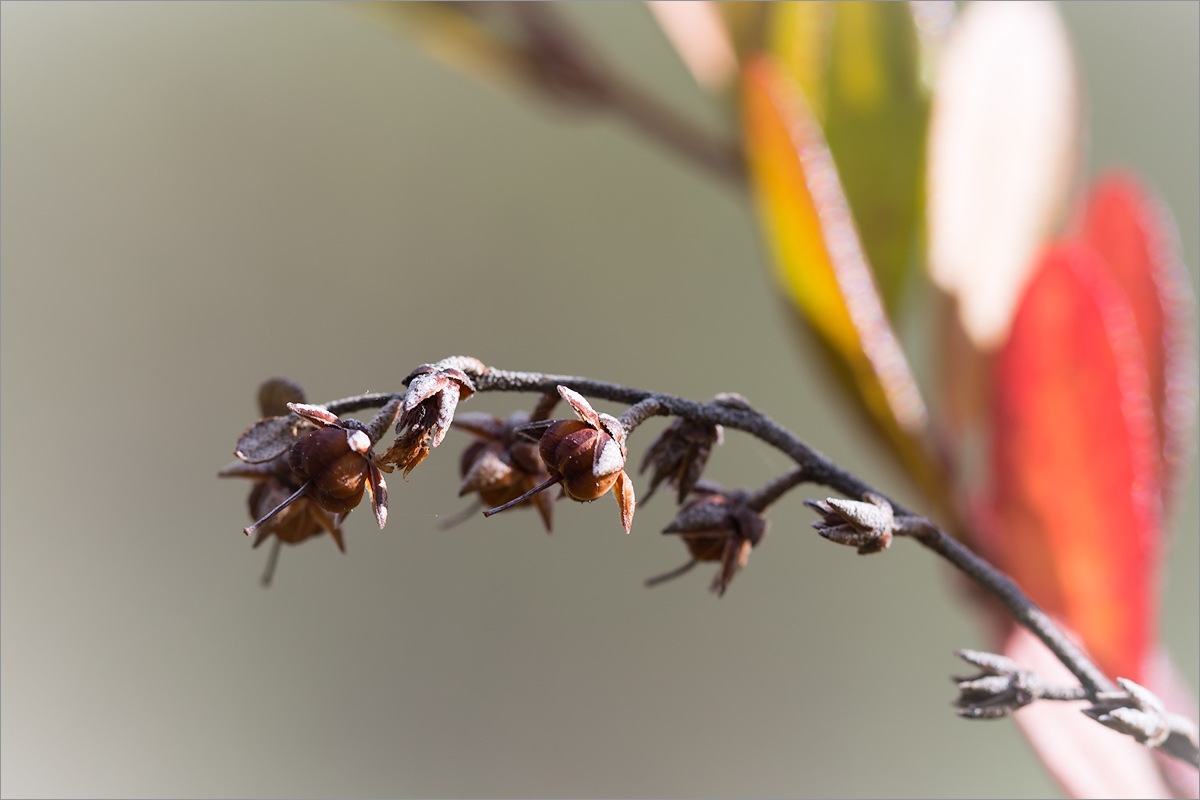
<point x="587" y="456"/>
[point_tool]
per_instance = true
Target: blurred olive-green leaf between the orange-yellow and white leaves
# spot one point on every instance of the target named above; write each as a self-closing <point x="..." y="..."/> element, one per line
<point x="877" y="111"/>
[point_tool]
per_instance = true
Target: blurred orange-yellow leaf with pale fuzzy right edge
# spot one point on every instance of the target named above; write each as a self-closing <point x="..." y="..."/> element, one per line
<point x="818" y="257"/>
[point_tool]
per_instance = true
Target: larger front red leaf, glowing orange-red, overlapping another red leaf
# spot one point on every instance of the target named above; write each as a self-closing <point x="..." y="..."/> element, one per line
<point x="1076" y="480"/>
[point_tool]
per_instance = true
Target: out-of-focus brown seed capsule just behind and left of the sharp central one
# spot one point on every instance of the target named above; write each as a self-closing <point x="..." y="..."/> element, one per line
<point x="500" y="467"/>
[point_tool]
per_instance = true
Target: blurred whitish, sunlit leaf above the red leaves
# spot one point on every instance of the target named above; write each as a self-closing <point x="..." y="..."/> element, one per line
<point x="1005" y="146"/>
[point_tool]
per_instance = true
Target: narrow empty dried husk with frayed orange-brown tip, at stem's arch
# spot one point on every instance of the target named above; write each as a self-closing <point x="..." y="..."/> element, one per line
<point x="427" y="413"/>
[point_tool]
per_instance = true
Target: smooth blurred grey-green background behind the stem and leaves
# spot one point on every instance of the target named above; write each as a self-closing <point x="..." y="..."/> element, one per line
<point x="200" y="196"/>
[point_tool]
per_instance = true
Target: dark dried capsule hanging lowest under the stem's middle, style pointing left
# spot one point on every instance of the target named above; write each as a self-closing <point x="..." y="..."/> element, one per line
<point x="719" y="527"/>
